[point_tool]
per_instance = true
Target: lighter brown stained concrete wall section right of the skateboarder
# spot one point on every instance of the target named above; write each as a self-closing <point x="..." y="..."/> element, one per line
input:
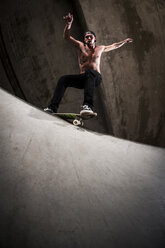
<point x="133" y="76"/>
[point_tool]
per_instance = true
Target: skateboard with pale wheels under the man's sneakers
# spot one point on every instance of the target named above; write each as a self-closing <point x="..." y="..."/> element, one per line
<point x="77" y="119"/>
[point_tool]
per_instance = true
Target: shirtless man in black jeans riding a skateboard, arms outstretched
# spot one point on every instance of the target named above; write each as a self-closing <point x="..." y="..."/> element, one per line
<point x="89" y="56"/>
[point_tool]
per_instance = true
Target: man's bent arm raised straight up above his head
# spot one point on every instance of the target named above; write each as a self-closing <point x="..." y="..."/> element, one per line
<point x="67" y="36"/>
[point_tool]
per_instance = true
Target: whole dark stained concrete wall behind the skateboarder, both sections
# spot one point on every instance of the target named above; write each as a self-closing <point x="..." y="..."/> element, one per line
<point x="133" y="76"/>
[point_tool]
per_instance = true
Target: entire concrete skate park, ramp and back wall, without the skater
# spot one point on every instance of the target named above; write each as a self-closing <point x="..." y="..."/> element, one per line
<point x="98" y="186"/>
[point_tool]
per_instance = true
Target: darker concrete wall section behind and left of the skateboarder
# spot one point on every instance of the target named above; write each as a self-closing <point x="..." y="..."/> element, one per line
<point x="32" y="35"/>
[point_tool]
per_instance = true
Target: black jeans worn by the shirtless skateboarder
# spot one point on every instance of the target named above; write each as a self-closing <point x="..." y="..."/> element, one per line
<point x="87" y="81"/>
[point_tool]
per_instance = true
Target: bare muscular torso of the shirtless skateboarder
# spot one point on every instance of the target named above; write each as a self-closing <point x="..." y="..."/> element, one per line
<point x="89" y="58"/>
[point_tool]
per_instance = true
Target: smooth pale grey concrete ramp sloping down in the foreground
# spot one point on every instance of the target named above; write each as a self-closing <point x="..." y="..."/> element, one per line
<point x="66" y="187"/>
